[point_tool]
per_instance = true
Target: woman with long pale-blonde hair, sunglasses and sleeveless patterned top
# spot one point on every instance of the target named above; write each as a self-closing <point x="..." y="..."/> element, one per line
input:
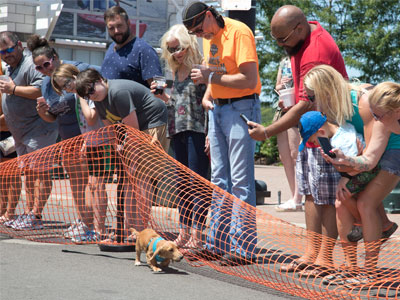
<point x="186" y="126"/>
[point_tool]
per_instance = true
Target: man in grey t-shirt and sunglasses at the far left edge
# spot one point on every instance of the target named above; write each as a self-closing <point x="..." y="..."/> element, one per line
<point x="29" y="131"/>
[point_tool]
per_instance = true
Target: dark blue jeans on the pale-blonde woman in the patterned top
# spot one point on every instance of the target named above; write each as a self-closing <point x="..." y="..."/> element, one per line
<point x="189" y="150"/>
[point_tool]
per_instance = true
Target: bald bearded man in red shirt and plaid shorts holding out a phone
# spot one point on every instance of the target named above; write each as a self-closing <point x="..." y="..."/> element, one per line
<point x="308" y="45"/>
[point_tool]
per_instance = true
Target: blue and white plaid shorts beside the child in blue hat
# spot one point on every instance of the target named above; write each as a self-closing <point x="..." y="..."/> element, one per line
<point x="316" y="177"/>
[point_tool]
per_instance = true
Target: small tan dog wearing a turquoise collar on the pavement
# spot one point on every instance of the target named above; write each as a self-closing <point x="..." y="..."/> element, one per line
<point x="157" y="249"/>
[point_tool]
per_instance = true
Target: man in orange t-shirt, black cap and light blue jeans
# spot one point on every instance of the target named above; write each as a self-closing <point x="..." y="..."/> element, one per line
<point x="231" y="72"/>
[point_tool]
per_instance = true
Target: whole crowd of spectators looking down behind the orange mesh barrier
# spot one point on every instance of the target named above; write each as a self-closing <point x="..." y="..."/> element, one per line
<point x="201" y="116"/>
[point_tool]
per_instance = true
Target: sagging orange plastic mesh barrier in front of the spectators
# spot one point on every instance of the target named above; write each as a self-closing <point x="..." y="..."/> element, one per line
<point x="115" y="178"/>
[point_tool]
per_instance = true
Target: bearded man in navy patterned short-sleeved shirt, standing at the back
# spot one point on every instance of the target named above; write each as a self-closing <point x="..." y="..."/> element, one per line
<point x="128" y="57"/>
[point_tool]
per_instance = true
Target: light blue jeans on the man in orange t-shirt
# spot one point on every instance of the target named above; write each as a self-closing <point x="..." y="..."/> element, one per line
<point x="233" y="226"/>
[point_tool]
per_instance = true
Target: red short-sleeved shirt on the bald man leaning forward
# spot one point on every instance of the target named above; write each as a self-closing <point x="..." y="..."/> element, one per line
<point x="319" y="48"/>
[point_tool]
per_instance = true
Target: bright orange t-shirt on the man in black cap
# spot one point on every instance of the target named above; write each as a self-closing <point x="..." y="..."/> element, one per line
<point x="231" y="47"/>
